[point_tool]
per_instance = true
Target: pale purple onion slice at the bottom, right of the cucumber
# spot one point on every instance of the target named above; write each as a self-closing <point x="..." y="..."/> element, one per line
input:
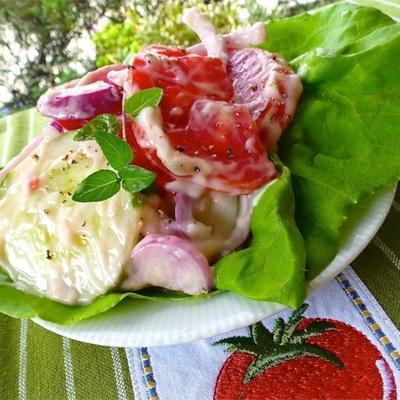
<point x="169" y="262"/>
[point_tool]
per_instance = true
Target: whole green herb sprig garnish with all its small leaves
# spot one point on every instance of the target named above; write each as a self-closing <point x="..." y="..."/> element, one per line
<point x="105" y="183"/>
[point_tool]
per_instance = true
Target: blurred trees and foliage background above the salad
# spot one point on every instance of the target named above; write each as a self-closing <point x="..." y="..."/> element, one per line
<point x="47" y="42"/>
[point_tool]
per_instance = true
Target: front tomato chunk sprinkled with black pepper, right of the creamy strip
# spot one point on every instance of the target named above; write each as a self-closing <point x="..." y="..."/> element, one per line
<point x="226" y="137"/>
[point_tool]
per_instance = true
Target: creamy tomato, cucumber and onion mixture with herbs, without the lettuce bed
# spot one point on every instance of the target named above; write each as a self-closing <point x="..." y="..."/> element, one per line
<point x="197" y="122"/>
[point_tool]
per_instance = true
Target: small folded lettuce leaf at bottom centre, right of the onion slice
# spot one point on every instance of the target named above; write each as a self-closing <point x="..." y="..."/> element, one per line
<point x="272" y="267"/>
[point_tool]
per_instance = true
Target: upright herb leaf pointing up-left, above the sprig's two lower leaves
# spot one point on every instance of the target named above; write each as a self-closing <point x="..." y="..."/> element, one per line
<point x="117" y="152"/>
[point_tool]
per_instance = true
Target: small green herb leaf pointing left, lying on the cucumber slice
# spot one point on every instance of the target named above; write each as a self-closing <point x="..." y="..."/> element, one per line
<point x="99" y="186"/>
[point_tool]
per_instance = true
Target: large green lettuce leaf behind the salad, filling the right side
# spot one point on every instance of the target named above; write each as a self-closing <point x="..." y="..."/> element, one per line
<point x="344" y="143"/>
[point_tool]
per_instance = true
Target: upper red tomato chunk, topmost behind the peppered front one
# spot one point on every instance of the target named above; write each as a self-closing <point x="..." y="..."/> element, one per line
<point x="184" y="79"/>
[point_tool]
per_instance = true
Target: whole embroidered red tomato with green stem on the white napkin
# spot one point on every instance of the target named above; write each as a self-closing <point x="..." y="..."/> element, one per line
<point x="304" y="359"/>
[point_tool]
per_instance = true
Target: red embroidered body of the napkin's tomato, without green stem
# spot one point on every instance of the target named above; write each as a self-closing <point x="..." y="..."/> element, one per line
<point x="308" y="378"/>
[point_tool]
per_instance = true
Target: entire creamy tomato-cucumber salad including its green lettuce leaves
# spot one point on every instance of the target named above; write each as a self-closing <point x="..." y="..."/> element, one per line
<point x="167" y="176"/>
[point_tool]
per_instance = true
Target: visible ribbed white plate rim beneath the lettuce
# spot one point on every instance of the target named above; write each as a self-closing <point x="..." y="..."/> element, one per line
<point x="144" y="323"/>
